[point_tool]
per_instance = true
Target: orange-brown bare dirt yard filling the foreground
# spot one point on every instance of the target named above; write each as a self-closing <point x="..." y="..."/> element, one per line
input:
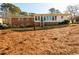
<point x="57" y="41"/>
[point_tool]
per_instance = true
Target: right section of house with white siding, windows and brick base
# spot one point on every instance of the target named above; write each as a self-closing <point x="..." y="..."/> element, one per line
<point x="49" y="19"/>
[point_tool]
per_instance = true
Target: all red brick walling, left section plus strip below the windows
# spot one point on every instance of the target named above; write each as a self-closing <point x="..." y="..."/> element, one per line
<point x="17" y="22"/>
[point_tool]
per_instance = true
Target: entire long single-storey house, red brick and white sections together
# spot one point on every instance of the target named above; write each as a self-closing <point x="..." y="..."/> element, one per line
<point x="37" y="19"/>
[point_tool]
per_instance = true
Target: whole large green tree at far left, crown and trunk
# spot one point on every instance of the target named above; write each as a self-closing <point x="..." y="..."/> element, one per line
<point x="9" y="10"/>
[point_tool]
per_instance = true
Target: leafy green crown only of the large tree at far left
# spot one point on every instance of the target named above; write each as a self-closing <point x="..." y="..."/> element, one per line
<point x="10" y="8"/>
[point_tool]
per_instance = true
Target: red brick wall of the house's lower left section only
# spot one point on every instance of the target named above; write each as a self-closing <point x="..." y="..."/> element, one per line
<point x="22" y="21"/>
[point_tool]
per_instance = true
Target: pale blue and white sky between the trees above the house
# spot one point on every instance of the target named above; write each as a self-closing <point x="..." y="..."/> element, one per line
<point x="39" y="7"/>
